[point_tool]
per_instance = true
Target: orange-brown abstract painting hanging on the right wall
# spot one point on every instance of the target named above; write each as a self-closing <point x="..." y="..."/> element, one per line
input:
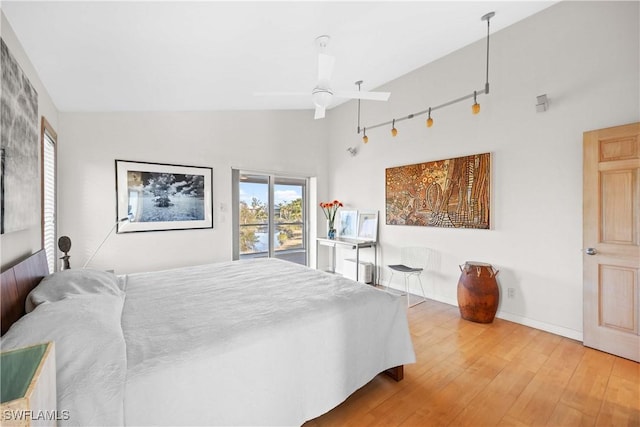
<point x="452" y="193"/>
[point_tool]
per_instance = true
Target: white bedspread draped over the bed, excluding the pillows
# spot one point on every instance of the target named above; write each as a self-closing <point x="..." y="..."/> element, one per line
<point x="255" y="342"/>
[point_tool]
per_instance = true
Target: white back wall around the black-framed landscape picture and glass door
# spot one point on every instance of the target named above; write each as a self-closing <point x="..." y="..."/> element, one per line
<point x="279" y="141"/>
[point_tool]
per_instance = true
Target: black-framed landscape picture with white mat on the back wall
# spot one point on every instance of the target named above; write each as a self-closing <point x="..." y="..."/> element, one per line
<point x="161" y="197"/>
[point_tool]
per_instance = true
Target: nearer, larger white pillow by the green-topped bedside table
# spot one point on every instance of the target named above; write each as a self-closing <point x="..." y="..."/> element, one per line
<point x="90" y="354"/>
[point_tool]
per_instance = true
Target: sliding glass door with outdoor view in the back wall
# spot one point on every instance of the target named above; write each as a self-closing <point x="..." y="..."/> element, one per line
<point x="270" y="216"/>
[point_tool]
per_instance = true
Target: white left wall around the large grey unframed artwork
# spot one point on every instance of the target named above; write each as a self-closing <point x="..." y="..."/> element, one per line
<point x="22" y="243"/>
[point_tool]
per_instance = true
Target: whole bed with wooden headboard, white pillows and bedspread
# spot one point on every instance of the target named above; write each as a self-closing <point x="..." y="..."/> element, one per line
<point x="250" y="342"/>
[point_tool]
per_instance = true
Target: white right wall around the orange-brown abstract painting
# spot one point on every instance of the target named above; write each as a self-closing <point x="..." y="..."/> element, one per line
<point x="585" y="56"/>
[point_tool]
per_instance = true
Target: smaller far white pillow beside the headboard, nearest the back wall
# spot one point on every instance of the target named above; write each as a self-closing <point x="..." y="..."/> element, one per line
<point x="67" y="283"/>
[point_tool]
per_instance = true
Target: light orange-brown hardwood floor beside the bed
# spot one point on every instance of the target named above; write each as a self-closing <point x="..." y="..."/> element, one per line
<point x="501" y="374"/>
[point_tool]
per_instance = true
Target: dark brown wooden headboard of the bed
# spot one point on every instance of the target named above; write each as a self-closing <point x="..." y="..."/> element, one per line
<point x="16" y="283"/>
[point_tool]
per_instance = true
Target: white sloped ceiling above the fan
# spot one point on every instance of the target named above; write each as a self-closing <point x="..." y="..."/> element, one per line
<point x="214" y="55"/>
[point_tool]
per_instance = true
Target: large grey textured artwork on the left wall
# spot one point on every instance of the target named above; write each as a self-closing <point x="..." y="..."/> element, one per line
<point x="19" y="173"/>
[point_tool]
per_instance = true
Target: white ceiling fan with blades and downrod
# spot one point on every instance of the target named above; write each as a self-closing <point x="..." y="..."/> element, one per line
<point x="322" y="93"/>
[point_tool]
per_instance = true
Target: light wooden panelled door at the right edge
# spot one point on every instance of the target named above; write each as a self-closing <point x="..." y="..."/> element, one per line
<point x="611" y="236"/>
